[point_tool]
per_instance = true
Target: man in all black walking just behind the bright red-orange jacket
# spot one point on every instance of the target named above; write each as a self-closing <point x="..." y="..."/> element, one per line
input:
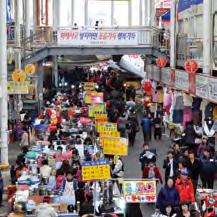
<point x="194" y="169"/>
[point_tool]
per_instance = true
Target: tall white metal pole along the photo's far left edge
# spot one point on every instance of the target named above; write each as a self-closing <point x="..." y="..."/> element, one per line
<point x="3" y="82"/>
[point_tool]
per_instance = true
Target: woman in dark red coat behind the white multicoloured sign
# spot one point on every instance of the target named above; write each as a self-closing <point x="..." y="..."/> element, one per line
<point x="152" y="172"/>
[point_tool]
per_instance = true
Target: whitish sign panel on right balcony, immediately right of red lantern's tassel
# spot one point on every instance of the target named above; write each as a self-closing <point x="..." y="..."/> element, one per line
<point x="202" y="86"/>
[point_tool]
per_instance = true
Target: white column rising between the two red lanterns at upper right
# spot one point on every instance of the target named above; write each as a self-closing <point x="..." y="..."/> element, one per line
<point x="173" y="35"/>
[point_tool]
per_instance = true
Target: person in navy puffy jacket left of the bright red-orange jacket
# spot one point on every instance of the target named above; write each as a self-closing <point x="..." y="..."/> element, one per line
<point x="168" y="195"/>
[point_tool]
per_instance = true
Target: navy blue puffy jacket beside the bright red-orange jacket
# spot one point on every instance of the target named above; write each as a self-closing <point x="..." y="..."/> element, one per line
<point x="168" y="196"/>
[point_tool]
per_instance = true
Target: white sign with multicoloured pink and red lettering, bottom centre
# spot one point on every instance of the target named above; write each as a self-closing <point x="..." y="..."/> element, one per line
<point x="140" y="191"/>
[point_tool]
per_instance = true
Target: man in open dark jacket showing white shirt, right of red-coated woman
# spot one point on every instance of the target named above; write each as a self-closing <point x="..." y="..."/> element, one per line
<point x="170" y="166"/>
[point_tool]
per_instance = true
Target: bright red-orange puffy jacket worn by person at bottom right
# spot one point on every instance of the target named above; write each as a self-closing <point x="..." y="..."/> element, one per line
<point x="186" y="190"/>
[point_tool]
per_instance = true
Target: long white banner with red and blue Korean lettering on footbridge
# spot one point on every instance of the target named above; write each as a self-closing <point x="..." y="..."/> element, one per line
<point x="81" y="38"/>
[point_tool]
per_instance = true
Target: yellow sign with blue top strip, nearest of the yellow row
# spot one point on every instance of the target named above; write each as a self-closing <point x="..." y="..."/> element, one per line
<point x="95" y="170"/>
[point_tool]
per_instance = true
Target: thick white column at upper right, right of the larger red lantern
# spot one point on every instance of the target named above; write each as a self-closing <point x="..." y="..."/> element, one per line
<point x="207" y="36"/>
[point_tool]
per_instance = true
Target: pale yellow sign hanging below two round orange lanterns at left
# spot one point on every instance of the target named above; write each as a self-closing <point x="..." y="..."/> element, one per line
<point x="18" y="87"/>
